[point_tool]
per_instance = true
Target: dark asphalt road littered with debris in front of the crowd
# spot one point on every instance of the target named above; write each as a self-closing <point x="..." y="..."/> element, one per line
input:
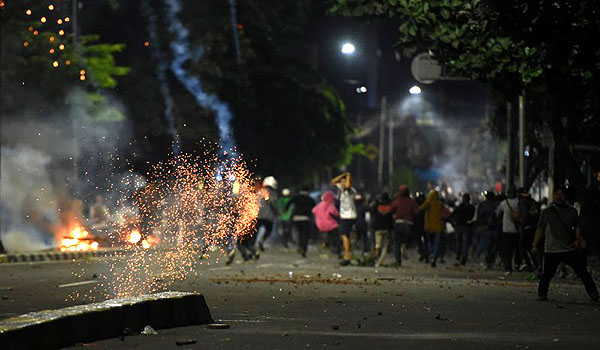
<point x="284" y="301"/>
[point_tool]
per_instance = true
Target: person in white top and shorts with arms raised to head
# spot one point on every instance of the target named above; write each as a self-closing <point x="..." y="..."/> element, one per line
<point x="348" y="212"/>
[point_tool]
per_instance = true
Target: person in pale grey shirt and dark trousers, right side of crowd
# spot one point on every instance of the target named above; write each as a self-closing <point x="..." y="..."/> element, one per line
<point x="509" y="241"/>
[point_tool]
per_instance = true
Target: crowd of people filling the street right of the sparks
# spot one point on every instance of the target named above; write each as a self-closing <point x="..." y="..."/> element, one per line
<point x="509" y="231"/>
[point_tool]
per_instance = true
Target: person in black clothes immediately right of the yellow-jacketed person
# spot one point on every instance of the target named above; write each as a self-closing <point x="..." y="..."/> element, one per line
<point x="462" y="219"/>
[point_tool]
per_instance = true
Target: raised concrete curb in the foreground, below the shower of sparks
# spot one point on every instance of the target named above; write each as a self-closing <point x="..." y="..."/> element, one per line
<point x="51" y="329"/>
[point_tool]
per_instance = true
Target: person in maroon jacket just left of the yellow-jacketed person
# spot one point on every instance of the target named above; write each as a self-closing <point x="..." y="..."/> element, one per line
<point x="405" y="209"/>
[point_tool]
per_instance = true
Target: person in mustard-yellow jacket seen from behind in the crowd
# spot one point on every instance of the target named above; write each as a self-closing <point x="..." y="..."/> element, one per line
<point x="434" y="225"/>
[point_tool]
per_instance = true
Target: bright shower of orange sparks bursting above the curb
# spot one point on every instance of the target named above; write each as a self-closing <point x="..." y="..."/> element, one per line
<point x="189" y="207"/>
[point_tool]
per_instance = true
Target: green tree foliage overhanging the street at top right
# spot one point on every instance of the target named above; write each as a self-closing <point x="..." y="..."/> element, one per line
<point x="488" y="40"/>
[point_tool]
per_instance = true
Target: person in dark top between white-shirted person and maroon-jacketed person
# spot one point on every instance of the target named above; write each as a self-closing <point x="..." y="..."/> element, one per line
<point x="383" y="223"/>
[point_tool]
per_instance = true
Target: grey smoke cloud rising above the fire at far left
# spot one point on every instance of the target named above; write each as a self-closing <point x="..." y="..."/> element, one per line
<point x="53" y="164"/>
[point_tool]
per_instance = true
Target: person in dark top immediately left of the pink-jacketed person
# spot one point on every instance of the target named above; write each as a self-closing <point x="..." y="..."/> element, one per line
<point x="301" y="206"/>
